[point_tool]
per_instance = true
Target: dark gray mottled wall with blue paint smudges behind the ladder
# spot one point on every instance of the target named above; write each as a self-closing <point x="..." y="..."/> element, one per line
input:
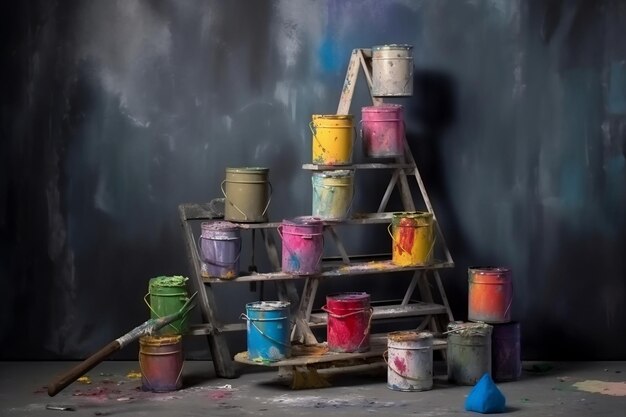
<point x="114" y="112"/>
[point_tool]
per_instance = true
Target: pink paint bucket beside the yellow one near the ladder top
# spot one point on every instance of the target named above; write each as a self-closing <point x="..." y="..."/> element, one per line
<point x="382" y="130"/>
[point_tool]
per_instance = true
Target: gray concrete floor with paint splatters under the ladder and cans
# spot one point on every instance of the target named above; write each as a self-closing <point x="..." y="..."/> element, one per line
<point x="546" y="389"/>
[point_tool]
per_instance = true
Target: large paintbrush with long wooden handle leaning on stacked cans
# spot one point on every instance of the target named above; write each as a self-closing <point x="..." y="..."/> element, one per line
<point x="147" y="328"/>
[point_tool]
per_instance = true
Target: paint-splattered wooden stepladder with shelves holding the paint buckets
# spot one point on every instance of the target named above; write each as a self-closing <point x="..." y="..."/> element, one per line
<point x="432" y="305"/>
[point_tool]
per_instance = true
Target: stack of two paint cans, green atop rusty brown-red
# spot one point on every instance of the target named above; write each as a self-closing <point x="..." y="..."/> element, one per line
<point x="161" y="354"/>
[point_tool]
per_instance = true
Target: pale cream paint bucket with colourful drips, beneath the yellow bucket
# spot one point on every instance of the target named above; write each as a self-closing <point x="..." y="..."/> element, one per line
<point x="333" y="192"/>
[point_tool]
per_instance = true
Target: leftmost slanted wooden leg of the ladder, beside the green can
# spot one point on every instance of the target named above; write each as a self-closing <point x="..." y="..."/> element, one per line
<point x="220" y="354"/>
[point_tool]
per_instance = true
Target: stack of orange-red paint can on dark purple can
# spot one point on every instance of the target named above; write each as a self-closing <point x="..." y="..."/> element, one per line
<point x="490" y="297"/>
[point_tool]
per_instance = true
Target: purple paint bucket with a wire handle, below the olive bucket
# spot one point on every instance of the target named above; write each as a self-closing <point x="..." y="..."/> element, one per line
<point x="220" y="248"/>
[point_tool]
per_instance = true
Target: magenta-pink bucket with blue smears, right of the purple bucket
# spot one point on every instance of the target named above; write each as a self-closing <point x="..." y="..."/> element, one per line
<point x="303" y="245"/>
